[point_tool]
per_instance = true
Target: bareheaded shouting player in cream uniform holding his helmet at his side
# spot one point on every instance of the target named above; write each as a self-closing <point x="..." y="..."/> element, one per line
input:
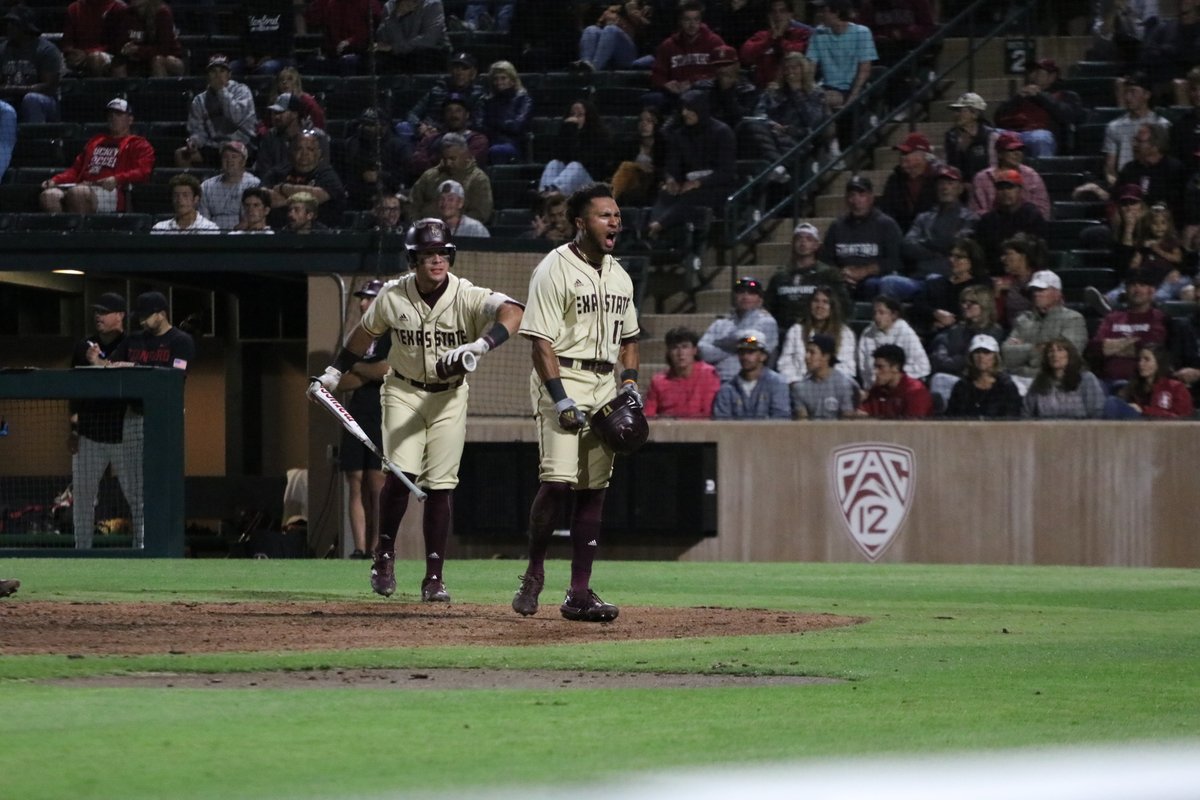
<point x="581" y="321"/>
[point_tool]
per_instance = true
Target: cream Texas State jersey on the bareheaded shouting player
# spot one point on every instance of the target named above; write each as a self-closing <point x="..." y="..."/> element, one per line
<point x="583" y="311"/>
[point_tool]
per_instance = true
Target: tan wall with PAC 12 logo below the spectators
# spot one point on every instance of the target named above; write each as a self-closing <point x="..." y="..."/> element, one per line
<point x="1073" y="494"/>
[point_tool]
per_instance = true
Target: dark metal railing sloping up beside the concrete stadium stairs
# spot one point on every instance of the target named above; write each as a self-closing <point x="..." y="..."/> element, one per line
<point x="747" y="213"/>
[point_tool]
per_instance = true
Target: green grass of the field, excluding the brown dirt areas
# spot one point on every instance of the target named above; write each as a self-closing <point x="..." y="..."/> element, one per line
<point x="952" y="659"/>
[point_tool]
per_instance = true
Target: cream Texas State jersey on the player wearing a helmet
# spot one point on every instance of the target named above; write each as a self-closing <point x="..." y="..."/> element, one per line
<point x="422" y="335"/>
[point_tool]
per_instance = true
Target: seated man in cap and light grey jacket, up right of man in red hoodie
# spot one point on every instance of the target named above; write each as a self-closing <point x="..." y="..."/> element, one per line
<point x="224" y="112"/>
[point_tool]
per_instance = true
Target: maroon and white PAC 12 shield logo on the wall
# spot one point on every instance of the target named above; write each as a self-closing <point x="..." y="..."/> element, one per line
<point x="873" y="484"/>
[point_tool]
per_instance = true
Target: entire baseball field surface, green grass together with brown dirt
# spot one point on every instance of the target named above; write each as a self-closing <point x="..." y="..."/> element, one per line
<point x="289" y="679"/>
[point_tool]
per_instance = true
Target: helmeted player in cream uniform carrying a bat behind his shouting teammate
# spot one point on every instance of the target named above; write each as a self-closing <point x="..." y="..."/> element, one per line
<point x="440" y="327"/>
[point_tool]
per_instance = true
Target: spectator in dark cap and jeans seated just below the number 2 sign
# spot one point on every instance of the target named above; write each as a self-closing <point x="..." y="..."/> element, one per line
<point x="1042" y="112"/>
